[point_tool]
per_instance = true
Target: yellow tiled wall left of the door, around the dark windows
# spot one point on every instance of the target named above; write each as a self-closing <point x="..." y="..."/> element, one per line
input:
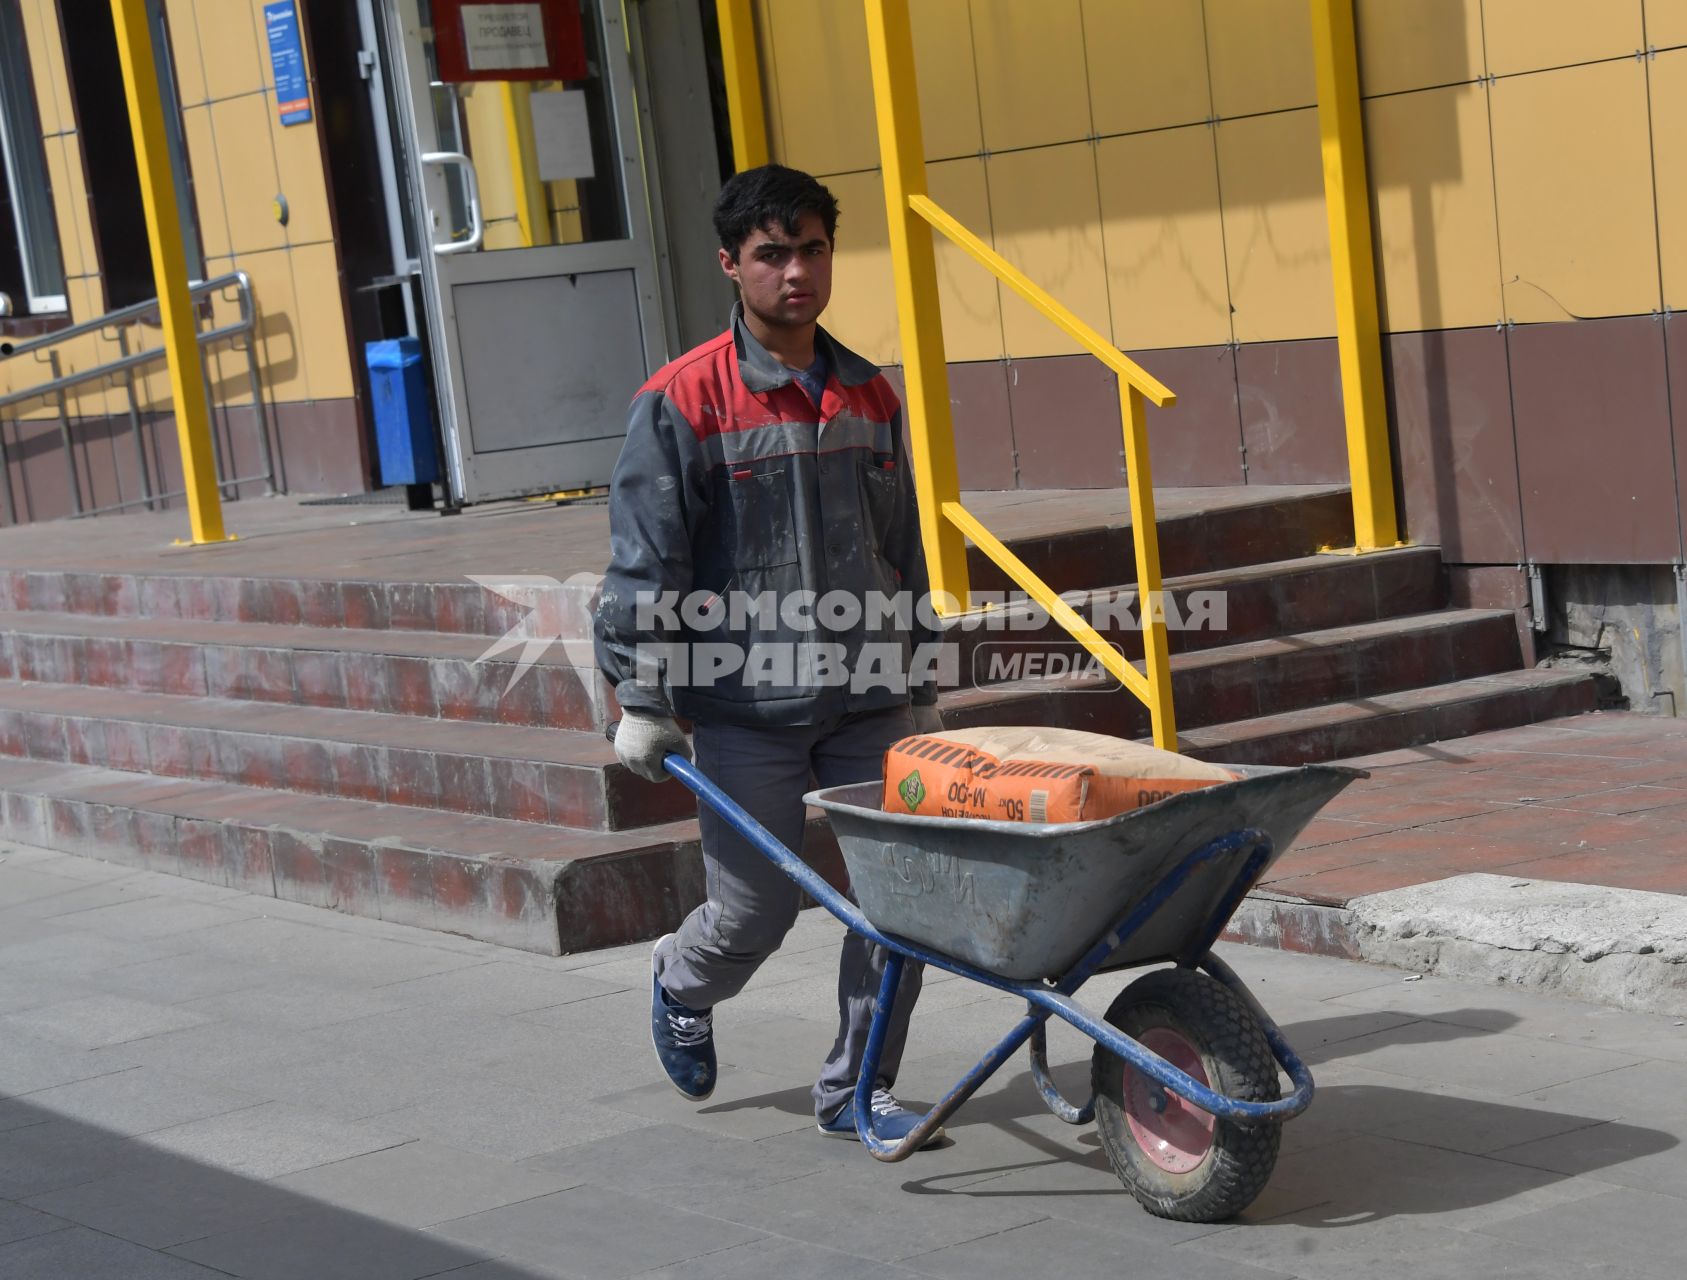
<point x="242" y="159"/>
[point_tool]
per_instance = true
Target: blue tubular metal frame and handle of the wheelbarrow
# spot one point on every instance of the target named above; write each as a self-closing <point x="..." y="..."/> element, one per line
<point x="1248" y="849"/>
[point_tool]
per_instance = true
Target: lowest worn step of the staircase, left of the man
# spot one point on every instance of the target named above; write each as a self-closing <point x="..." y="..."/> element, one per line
<point x="510" y="883"/>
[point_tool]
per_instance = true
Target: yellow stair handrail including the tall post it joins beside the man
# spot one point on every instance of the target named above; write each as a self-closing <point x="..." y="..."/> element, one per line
<point x="946" y="522"/>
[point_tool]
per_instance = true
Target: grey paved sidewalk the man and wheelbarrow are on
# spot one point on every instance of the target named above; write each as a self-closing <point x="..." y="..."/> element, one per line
<point x="203" y="1084"/>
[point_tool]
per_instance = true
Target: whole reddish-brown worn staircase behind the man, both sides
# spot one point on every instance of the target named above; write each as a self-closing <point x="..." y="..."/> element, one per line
<point x="342" y="745"/>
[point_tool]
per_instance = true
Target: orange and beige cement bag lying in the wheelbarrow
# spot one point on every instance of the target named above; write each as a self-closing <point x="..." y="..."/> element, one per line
<point x="1032" y="775"/>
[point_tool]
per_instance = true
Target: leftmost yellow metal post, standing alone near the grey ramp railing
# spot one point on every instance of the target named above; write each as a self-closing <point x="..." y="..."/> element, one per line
<point x="170" y="269"/>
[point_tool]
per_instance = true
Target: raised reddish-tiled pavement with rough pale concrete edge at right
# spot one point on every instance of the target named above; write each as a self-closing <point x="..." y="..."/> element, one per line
<point x="1551" y="856"/>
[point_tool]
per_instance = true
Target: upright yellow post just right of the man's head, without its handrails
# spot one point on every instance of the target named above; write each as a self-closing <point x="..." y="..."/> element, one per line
<point x="919" y="311"/>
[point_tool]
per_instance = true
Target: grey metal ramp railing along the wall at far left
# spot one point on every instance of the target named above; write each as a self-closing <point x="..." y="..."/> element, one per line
<point x="121" y="374"/>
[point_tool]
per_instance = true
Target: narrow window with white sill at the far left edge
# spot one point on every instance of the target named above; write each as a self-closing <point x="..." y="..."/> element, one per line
<point x="30" y="237"/>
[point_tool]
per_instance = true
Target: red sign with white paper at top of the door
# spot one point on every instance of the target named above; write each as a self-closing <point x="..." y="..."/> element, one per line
<point x="509" y="40"/>
